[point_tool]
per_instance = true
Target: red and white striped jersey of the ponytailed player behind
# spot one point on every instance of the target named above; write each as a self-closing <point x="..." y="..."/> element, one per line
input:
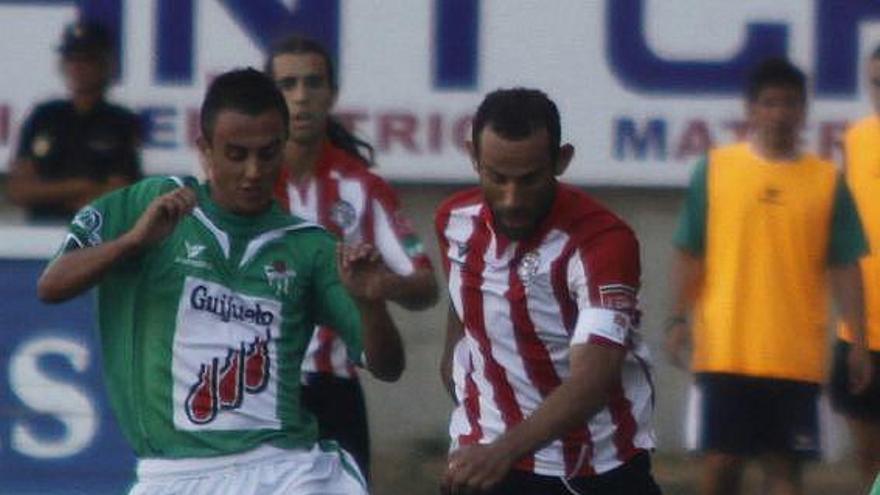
<point x="357" y="206"/>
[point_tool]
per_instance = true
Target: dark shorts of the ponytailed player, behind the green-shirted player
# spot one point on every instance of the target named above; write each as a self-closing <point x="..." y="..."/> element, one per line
<point x="338" y="403"/>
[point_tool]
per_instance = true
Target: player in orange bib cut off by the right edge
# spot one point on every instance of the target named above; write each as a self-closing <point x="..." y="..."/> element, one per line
<point x="862" y="146"/>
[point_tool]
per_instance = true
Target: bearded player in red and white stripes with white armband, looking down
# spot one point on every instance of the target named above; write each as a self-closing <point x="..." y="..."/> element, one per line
<point x="543" y="356"/>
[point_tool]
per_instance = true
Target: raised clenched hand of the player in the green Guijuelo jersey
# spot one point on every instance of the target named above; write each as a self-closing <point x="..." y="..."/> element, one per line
<point x="162" y="216"/>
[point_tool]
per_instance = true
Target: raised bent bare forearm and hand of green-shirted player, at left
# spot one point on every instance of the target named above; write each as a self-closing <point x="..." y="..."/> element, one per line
<point x="76" y="271"/>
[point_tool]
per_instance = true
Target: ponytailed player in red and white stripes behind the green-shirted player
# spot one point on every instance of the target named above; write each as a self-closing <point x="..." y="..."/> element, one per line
<point x="326" y="180"/>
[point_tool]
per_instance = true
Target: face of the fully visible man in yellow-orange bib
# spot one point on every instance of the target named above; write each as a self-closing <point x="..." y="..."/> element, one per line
<point x="777" y="116"/>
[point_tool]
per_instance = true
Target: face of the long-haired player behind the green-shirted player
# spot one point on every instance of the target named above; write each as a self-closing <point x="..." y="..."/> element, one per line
<point x="304" y="82"/>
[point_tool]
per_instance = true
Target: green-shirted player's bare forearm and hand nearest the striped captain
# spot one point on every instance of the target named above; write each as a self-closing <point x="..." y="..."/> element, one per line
<point x="359" y="270"/>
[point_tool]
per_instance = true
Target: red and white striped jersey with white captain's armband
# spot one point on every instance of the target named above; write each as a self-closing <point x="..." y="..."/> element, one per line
<point x="523" y="304"/>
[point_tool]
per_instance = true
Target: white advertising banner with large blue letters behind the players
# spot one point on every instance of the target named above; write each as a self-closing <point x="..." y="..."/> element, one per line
<point x="643" y="86"/>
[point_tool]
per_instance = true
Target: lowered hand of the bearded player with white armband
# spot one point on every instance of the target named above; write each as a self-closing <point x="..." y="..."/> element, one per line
<point x="475" y="469"/>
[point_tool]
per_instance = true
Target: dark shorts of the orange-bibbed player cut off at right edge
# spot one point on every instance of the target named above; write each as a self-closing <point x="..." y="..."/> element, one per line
<point x="865" y="405"/>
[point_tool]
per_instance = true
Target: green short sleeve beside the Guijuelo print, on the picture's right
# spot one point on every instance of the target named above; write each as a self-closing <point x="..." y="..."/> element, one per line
<point x="334" y="306"/>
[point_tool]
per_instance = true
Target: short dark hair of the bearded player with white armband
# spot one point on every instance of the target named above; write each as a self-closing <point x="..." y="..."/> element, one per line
<point x="516" y="114"/>
